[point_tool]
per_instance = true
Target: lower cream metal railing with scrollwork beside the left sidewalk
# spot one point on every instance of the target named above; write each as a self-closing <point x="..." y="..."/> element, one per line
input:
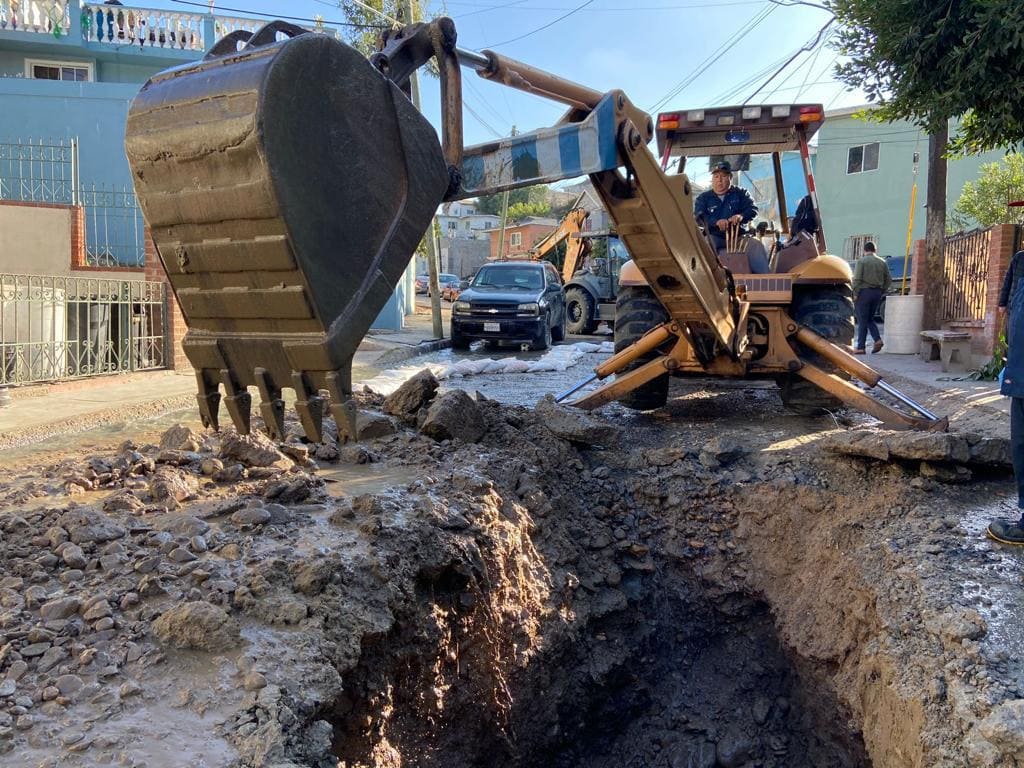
<point x="55" y="328"/>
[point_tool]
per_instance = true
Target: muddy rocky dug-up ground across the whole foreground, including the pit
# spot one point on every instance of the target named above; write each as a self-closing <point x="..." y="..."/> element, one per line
<point x="696" y="587"/>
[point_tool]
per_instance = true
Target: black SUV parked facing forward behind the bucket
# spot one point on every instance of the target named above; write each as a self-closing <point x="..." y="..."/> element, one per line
<point x="516" y="302"/>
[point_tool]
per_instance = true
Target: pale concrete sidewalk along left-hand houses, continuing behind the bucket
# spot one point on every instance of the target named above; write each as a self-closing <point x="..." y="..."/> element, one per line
<point x="46" y="410"/>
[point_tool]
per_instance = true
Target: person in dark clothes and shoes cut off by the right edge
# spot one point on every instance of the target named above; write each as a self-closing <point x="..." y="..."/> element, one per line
<point x="1012" y="532"/>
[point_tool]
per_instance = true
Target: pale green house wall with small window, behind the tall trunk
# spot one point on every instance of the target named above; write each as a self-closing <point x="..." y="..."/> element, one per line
<point x="878" y="202"/>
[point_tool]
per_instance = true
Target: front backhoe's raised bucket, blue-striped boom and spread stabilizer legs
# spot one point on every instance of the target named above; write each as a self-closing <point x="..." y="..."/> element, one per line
<point x="287" y="181"/>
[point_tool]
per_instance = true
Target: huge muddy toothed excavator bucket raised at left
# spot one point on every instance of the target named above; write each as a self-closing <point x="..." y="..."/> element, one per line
<point x="287" y="187"/>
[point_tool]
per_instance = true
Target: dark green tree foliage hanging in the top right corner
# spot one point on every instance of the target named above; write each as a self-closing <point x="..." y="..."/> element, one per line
<point x="928" y="62"/>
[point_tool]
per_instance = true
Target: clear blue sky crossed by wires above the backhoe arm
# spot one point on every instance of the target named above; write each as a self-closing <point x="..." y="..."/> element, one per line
<point x="652" y="50"/>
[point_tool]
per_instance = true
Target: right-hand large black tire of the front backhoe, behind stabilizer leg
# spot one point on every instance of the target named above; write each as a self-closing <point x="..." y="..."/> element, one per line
<point x="829" y="312"/>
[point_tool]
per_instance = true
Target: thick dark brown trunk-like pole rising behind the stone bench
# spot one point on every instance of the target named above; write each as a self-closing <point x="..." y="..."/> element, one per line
<point x="933" y="276"/>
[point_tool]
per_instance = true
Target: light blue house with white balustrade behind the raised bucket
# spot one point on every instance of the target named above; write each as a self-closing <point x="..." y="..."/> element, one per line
<point x="68" y="74"/>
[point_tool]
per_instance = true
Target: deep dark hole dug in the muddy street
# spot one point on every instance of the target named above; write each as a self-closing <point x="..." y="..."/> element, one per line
<point x="652" y="661"/>
